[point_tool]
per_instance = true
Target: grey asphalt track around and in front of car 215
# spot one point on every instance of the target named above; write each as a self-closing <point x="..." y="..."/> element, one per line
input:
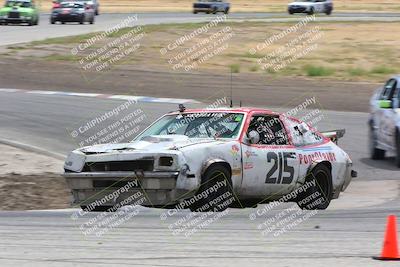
<point x="347" y="234"/>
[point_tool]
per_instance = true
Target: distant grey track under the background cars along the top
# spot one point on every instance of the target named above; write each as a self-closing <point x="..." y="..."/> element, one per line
<point x="14" y="34"/>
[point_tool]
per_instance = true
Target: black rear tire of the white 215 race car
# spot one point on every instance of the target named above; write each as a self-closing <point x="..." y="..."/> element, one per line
<point x="323" y="185"/>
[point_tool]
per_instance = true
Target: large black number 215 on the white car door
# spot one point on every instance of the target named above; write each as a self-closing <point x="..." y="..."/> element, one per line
<point x="280" y="167"/>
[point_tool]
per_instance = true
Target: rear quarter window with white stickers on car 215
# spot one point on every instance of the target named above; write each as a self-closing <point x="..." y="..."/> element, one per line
<point x="308" y="137"/>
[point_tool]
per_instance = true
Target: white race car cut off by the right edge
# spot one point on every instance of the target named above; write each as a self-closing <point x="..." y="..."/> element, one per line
<point x="384" y="121"/>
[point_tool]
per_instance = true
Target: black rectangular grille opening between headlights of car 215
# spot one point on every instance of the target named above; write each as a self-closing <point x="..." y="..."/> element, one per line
<point x="109" y="166"/>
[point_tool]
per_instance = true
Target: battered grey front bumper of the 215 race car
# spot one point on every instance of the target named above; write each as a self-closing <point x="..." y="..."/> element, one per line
<point x="159" y="188"/>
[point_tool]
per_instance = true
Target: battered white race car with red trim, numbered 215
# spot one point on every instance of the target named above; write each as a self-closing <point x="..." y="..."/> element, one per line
<point x="211" y="159"/>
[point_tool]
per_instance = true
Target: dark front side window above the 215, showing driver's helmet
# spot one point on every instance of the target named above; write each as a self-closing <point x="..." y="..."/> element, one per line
<point x="269" y="129"/>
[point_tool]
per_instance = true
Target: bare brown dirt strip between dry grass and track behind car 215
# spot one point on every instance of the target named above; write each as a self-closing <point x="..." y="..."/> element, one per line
<point x="250" y="88"/>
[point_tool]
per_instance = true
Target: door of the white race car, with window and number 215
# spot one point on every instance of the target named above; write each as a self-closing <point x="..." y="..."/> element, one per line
<point x="270" y="165"/>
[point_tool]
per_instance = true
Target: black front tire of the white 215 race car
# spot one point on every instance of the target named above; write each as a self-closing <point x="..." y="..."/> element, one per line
<point x="214" y="175"/>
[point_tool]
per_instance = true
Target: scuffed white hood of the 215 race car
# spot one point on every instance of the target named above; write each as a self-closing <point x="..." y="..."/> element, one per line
<point x="154" y="143"/>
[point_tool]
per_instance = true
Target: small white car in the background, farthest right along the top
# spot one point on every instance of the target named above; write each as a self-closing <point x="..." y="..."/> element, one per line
<point x="311" y="7"/>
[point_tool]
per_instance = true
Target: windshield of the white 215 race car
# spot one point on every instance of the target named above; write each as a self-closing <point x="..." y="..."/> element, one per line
<point x="198" y="125"/>
